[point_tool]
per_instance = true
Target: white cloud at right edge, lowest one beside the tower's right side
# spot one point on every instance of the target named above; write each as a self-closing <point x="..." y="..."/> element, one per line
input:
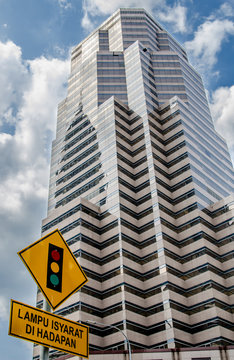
<point x="222" y="109"/>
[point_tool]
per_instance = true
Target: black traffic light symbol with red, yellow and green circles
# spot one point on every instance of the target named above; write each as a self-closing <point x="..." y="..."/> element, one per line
<point x="55" y="268"/>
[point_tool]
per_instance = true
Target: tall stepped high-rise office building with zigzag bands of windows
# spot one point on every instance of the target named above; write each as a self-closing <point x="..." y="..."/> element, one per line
<point x="141" y="188"/>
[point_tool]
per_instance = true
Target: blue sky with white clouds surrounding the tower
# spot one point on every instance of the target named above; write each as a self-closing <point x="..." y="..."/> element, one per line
<point x="36" y="38"/>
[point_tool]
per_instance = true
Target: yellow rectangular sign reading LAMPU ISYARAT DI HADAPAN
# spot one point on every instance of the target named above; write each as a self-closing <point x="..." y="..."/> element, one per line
<point x="44" y="328"/>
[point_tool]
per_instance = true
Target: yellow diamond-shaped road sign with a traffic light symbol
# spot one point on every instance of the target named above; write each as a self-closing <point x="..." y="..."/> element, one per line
<point x="54" y="268"/>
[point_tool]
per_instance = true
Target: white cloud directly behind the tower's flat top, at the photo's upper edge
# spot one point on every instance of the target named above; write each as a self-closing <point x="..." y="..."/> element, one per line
<point x="175" y="15"/>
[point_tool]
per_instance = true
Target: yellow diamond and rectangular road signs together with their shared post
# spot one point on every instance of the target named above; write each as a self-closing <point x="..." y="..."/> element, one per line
<point x="58" y="275"/>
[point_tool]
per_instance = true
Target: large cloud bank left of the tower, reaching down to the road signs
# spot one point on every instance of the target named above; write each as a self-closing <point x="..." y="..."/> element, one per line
<point x="29" y="94"/>
